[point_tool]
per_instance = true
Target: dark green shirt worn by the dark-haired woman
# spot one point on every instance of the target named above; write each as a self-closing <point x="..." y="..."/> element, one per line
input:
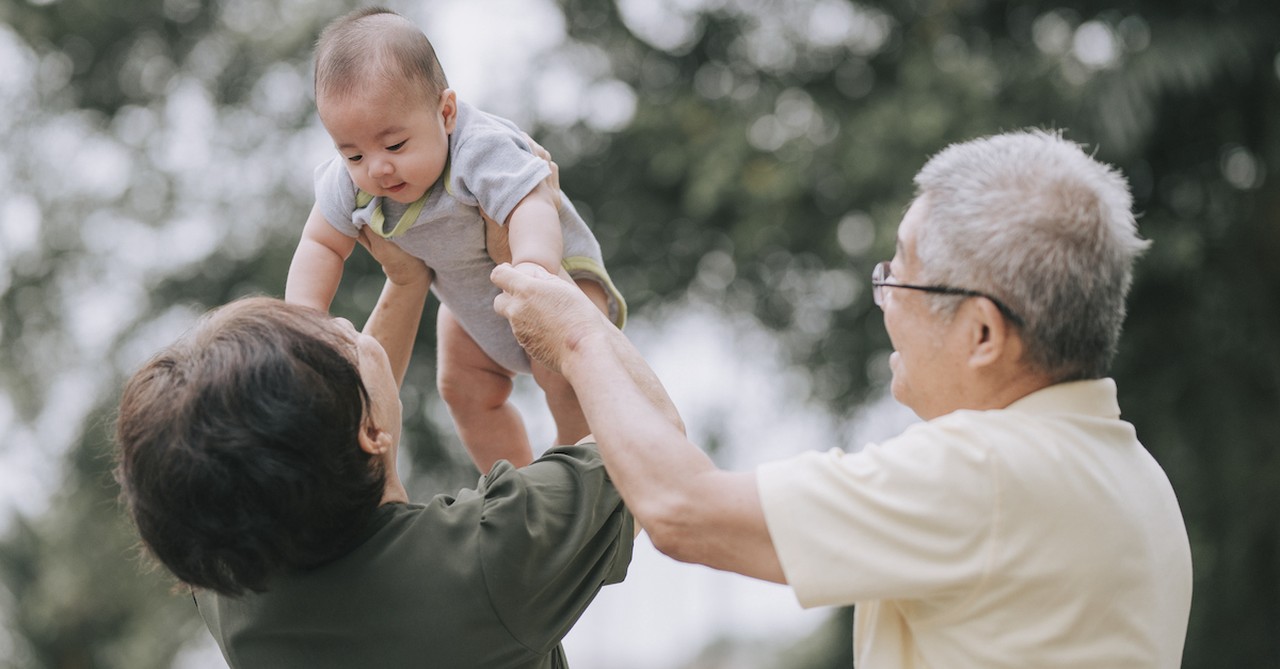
<point x="493" y="578"/>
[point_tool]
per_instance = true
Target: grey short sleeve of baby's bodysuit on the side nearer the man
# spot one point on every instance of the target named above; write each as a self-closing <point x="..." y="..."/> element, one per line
<point x="495" y="171"/>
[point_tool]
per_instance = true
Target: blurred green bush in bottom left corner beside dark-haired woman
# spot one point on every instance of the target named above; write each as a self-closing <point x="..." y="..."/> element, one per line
<point x="80" y="601"/>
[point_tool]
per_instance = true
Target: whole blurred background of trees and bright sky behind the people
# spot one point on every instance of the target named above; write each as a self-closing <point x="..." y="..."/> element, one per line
<point x="744" y="164"/>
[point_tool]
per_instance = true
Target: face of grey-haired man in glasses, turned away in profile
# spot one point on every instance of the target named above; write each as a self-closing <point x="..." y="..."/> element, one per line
<point x="929" y="355"/>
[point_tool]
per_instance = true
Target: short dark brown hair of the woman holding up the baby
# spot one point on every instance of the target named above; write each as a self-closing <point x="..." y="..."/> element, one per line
<point x="239" y="450"/>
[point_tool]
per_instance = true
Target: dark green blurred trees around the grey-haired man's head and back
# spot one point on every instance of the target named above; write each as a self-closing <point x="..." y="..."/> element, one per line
<point x="771" y="157"/>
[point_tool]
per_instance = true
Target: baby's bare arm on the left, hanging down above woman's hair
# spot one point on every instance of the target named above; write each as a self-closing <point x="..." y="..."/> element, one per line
<point x="317" y="268"/>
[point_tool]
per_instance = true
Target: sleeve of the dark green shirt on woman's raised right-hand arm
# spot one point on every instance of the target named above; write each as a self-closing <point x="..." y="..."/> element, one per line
<point x="552" y="534"/>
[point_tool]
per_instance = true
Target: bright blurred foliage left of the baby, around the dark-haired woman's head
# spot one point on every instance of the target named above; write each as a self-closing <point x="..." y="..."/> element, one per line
<point x="173" y="130"/>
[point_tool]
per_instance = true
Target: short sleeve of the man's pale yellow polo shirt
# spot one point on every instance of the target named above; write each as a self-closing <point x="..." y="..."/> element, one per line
<point x="908" y="519"/>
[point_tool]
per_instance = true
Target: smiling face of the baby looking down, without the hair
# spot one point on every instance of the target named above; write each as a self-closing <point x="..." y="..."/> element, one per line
<point x="394" y="148"/>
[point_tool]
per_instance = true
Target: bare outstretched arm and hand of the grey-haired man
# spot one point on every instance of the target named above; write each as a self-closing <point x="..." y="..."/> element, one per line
<point x="693" y="511"/>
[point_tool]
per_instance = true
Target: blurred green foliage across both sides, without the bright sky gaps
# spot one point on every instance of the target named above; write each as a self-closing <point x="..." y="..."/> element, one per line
<point x="767" y="163"/>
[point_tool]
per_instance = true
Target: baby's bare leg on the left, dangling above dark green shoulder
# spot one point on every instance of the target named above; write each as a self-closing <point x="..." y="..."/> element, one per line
<point x="478" y="391"/>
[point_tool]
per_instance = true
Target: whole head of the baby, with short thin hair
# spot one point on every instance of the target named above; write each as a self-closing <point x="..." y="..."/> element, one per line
<point x="386" y="103"/>
